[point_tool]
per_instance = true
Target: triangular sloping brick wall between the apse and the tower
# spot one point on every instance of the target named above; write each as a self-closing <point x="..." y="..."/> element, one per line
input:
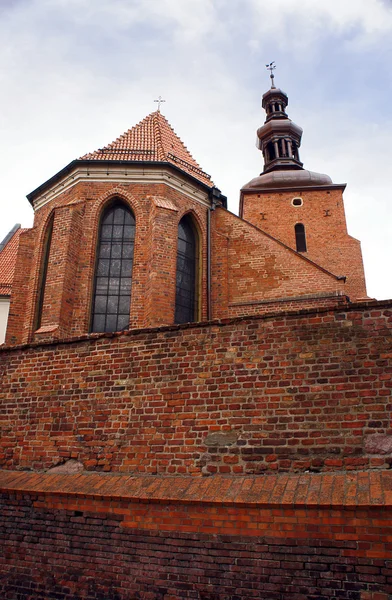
<point x="251" y="267"/>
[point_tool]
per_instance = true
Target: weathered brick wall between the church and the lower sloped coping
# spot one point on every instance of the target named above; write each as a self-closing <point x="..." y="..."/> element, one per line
<point x="296" y="391"/>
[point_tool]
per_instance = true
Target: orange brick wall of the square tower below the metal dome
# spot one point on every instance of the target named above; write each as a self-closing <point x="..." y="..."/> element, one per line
<point x="328" y="242"/>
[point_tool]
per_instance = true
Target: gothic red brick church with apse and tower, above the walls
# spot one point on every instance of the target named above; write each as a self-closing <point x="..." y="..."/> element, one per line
<point x="136" y="235"/>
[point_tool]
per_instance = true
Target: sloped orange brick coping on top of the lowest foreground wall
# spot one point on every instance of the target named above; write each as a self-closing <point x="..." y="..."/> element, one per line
<point x="334" y="490"/>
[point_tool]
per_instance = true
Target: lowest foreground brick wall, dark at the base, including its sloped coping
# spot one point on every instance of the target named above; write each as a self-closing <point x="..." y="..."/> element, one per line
<point x="149" y="538"/>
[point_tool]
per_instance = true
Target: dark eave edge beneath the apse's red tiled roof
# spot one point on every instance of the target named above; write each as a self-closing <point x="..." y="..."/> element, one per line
<point x="85" y="162"/>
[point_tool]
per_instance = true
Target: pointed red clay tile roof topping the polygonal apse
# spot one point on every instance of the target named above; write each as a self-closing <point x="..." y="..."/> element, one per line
<point x="153" y="139"/>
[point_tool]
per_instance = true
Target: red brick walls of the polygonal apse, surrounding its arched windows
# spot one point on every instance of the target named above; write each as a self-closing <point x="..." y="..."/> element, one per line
<point x="67" y="303"/>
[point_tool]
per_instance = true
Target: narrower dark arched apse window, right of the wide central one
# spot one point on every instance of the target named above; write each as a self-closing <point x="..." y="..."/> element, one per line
<point x="187" y="272"/>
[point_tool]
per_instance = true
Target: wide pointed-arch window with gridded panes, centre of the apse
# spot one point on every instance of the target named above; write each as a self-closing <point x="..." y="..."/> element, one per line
<point x="113" y="270"/>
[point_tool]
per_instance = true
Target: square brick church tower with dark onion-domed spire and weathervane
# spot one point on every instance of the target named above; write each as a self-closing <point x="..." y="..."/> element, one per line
<point x="300" y="208"/>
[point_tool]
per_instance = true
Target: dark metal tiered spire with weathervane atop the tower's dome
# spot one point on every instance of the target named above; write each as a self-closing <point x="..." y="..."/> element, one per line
<point x="279" y="138"/>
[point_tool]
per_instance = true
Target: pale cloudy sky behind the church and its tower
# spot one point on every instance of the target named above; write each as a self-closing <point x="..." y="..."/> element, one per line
<point x="77" y="73"/>
